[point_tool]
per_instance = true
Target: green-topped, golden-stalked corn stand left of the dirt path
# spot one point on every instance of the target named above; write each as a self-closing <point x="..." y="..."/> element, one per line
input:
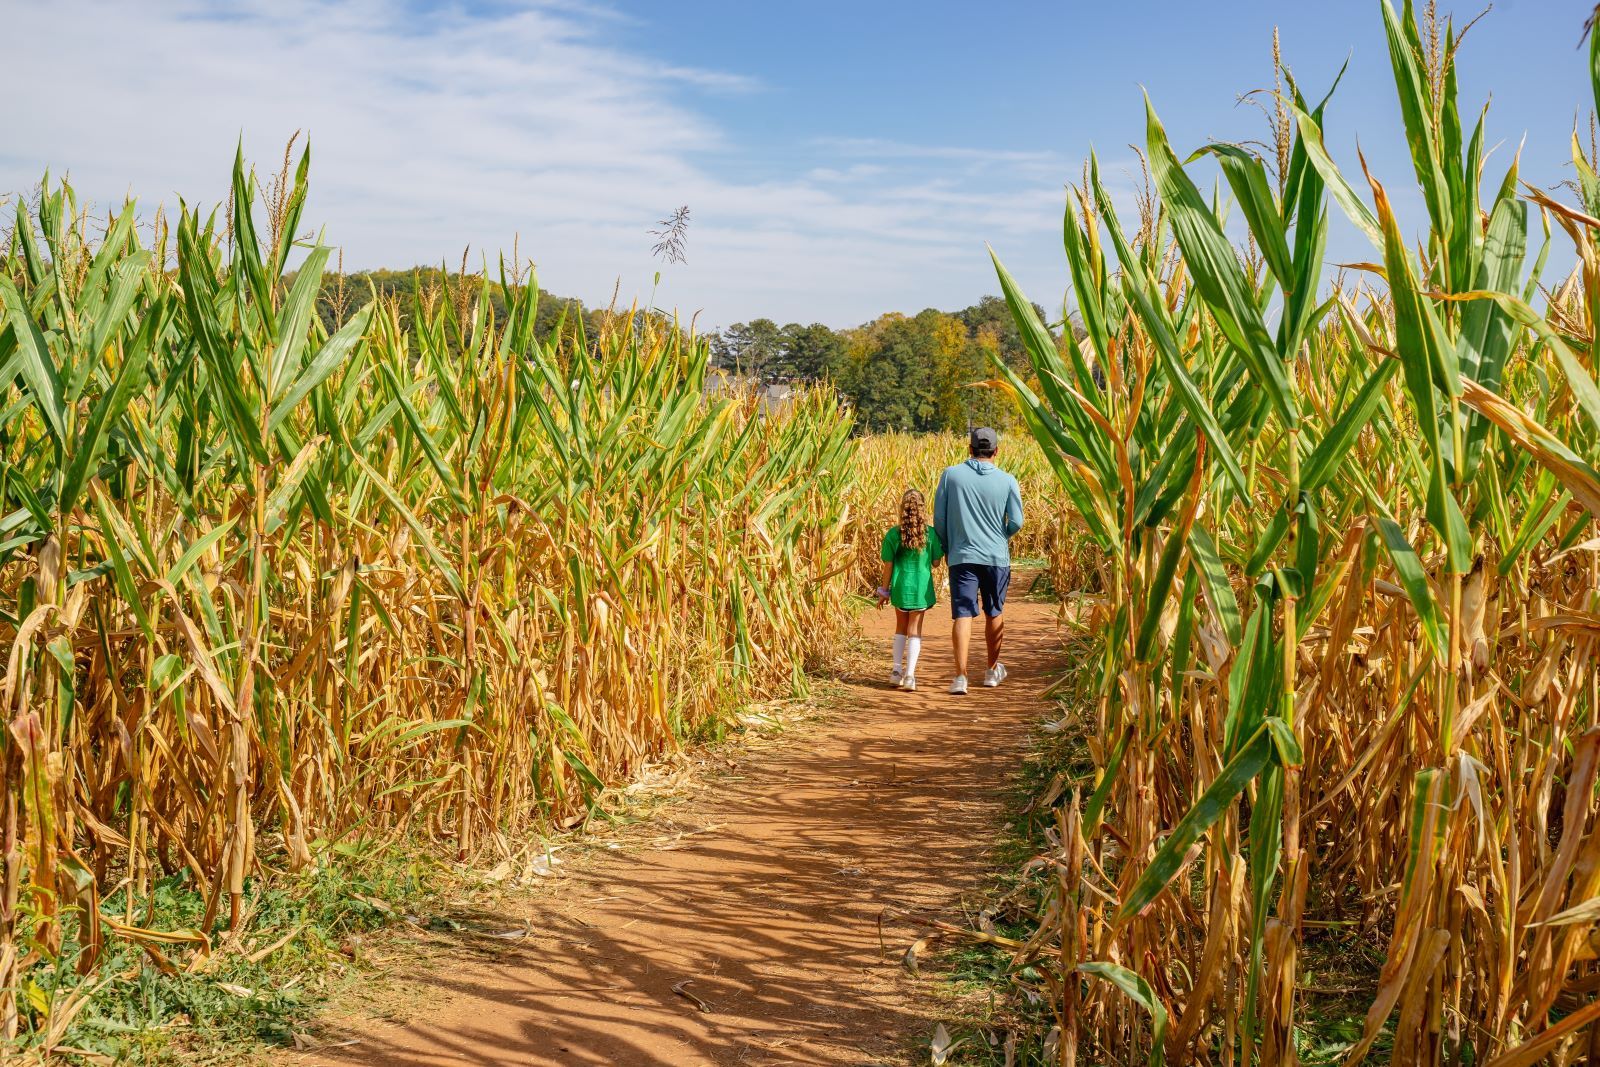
<point x="270" y="586"/>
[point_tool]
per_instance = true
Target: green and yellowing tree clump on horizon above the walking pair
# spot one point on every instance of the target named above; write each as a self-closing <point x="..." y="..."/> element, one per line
<point x="900" y="372"/>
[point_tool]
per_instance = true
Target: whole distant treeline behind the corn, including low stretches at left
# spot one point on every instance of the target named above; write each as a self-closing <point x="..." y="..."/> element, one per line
<point x="898" y="372"/>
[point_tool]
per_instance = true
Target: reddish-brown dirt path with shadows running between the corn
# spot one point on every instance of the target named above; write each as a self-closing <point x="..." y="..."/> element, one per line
<point x="772" y="909"/>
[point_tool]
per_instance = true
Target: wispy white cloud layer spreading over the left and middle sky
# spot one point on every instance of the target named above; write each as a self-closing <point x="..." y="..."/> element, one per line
<point x="442" y="127"/>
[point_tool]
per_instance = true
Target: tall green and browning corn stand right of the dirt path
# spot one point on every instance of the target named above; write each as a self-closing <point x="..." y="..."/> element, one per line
<point x="1345" y="684"/>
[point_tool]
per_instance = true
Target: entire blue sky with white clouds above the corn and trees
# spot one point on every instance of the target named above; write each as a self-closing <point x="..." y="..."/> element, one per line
<point x="839" y="159"/>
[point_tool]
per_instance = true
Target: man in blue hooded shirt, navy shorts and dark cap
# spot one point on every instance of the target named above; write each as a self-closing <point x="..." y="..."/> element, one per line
<point x="977" y="510"/>
